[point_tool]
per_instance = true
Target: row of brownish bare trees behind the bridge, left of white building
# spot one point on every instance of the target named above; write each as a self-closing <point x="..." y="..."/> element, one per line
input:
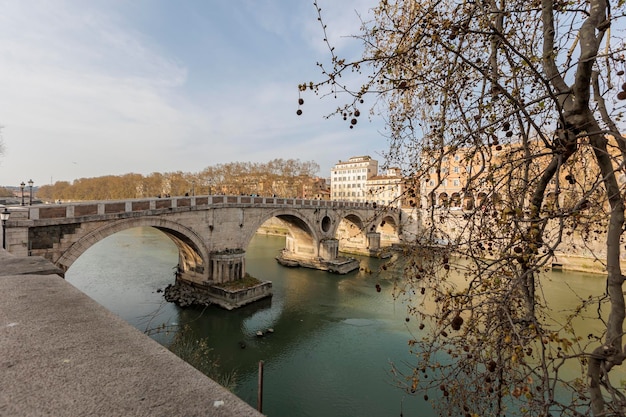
<point x="278" y="177"/>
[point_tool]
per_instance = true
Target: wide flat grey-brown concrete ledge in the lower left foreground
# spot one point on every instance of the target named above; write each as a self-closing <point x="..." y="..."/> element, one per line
<point x="62" y="354"/>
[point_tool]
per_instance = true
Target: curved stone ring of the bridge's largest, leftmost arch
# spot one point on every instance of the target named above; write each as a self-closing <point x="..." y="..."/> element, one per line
<point x="193" y="253"/>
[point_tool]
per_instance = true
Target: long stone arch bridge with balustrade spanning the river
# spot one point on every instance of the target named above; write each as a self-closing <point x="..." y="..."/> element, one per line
<point x="211" y="232"/>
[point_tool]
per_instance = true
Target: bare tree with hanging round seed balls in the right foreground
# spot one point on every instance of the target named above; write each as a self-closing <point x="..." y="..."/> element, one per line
<point x="524" y="98"/>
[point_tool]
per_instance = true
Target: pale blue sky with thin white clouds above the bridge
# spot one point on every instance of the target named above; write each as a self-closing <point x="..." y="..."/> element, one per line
<point x="110" y="87"/>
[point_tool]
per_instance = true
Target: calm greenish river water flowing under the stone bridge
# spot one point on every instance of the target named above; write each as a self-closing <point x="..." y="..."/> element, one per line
<point x="334" y="337"/>
